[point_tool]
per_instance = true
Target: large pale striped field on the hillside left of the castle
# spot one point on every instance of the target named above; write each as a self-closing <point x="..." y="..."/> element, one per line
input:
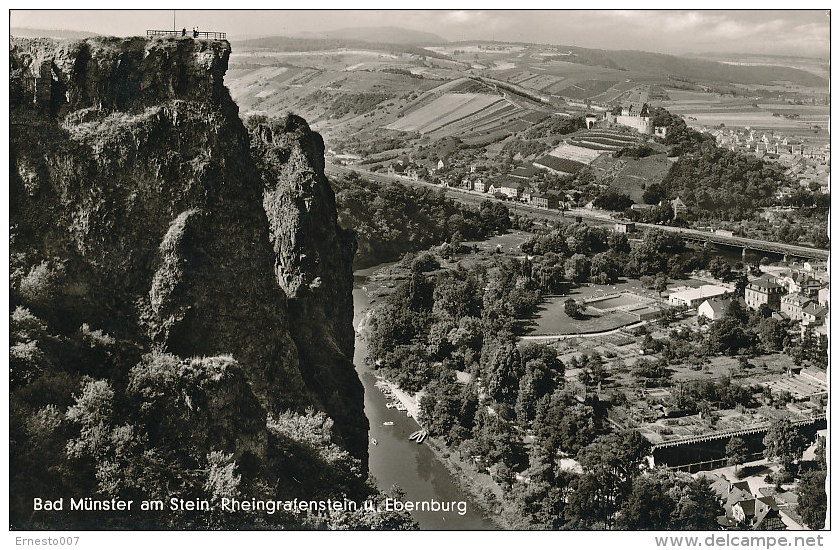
<point x="451" y="109"/>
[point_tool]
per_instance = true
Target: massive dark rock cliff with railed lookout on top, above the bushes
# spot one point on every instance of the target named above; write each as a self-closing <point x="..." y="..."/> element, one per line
<point x="131" y="169"/>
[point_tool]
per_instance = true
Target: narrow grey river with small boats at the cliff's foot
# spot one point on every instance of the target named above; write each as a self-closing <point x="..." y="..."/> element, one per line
<point x="395" y="459"/>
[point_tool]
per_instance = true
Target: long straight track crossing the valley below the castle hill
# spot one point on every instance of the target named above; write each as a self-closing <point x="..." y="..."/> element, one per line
<point x="474" y="198"/>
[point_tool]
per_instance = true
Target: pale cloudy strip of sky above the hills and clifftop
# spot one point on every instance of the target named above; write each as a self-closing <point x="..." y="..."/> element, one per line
<point x="789" y="32"/>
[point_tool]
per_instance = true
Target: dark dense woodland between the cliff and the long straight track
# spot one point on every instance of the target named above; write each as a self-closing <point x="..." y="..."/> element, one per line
<point x="391" y="219"/>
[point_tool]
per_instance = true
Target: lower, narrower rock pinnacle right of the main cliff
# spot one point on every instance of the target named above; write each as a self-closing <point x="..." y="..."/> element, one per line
<point x="314" y="258"/>
